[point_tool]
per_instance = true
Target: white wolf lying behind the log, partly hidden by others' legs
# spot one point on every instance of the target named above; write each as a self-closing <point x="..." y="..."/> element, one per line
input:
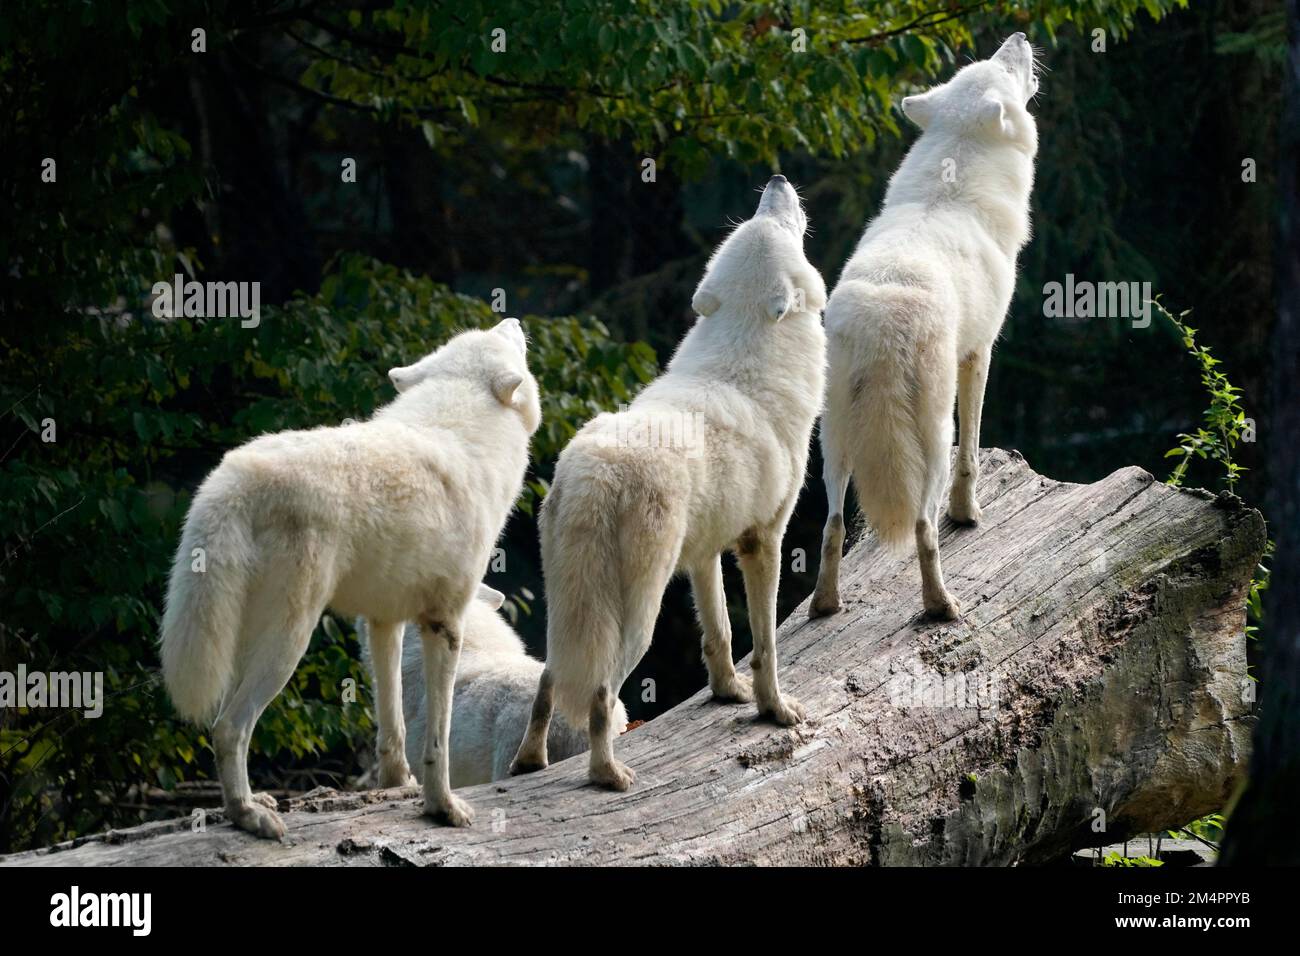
<point x="496" y="681"/>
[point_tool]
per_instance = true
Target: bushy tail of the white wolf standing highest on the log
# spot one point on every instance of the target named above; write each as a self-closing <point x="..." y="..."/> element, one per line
<point x="879" y="386"/>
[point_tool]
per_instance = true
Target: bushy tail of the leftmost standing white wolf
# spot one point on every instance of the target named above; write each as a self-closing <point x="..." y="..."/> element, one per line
<point x="201" y="625"/>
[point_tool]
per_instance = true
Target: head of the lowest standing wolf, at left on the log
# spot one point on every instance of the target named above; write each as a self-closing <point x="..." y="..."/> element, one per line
<point x="497" y="358"/>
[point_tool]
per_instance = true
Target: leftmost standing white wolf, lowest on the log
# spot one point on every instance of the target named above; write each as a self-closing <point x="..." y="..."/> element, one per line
<point x="392" y="518"/>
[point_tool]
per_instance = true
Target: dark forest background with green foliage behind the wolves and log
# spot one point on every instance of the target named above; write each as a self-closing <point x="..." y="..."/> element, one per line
<point x="522" y="171"/>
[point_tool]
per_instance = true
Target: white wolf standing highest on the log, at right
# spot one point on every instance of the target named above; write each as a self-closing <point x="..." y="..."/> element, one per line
<point x="913" y="319"/>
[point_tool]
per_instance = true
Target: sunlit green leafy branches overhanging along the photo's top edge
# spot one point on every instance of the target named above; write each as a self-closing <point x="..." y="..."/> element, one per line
<point x="692" y="81"/>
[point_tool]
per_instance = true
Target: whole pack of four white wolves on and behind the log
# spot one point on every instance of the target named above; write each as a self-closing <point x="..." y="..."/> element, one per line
<point x="393" y="521"/>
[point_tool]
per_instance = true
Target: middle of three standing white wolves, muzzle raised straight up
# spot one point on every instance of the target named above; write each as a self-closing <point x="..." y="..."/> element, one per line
<point x="627" y="511"/>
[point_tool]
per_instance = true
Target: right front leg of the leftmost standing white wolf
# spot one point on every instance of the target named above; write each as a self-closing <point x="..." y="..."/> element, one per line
<point x="441" y="642"/>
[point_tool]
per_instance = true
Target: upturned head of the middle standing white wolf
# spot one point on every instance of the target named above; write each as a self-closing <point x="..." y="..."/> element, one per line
<point x="761" y="267"/>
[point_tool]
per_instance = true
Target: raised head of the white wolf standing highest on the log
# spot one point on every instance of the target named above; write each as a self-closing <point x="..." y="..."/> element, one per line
<point x="985" y="100"/>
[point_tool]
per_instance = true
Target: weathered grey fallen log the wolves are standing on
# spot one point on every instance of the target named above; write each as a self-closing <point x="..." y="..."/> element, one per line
<point x="1099" y="669"/>
